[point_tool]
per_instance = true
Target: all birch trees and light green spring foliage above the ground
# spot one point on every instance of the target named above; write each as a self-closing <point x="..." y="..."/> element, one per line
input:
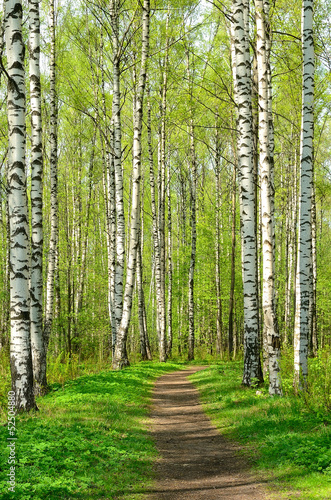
<point x="165" y="183"/>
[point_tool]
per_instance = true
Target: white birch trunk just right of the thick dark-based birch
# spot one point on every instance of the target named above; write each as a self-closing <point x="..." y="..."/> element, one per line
<point x="267" y="195"/>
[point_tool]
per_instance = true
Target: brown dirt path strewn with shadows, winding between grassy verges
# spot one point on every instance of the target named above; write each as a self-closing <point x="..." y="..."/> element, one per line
<point x="196" y="461"/>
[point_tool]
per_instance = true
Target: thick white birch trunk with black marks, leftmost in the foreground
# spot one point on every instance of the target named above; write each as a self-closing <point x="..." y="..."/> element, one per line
<point x="20" y="345"/>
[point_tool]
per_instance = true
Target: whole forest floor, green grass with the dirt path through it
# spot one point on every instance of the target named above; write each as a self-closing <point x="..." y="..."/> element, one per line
<point x="91" y="438"/>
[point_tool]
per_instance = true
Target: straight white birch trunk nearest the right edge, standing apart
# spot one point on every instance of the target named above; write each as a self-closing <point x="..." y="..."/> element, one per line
<point x="304" y="259"/>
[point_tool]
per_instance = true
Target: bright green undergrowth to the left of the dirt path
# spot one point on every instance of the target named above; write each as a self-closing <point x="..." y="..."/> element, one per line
<point x="88" y="440"/>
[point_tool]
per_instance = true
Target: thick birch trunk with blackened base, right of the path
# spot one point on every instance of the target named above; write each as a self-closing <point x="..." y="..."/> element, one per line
<point x="252" y="363"/>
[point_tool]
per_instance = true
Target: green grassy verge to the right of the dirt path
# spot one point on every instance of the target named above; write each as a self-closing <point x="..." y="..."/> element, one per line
<point x="287" y="442"/>
